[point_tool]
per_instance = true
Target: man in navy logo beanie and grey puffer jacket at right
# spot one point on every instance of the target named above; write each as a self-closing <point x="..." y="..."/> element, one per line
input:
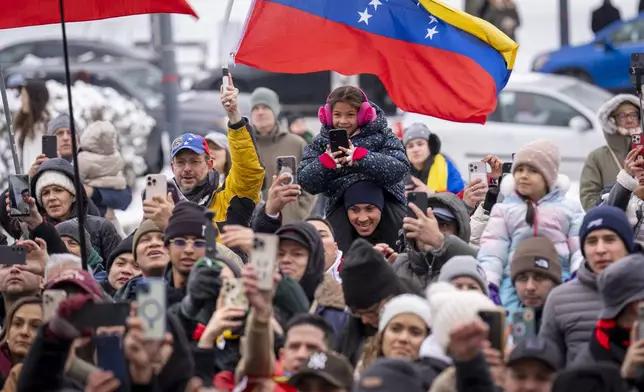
<point x="571" y="309"/>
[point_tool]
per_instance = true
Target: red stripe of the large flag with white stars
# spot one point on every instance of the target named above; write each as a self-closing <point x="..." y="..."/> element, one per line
<point x="419" y="78"/>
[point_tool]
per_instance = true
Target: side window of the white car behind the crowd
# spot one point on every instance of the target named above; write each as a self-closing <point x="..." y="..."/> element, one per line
<point x="534" y="109"/>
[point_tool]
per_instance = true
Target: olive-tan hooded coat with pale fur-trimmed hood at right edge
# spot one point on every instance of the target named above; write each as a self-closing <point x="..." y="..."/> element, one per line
<point x="604" y="163"/>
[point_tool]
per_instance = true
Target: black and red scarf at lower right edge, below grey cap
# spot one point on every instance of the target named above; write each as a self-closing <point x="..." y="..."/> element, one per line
<point x="609" y="342"/>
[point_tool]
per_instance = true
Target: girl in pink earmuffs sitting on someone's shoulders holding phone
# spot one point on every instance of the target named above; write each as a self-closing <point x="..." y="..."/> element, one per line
<point x="374" y="155"/>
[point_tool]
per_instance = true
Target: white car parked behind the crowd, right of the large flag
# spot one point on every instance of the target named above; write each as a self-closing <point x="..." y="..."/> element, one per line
<point x="532" y="106"/>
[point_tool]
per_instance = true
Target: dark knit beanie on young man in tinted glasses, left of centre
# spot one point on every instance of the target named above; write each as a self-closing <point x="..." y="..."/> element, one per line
<point x="187" y="219"/>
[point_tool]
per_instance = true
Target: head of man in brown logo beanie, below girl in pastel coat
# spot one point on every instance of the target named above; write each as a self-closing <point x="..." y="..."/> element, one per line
<point x="535" y="271"/>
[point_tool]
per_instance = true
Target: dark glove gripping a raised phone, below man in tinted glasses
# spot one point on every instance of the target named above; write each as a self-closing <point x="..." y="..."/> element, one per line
<point x="204" y="284"/>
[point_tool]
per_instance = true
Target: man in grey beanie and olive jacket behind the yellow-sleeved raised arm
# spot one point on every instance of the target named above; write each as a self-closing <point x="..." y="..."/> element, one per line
<point x="274" y="141"/>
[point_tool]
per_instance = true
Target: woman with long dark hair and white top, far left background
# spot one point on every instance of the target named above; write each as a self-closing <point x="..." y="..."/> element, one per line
<point x="30" y="124"/>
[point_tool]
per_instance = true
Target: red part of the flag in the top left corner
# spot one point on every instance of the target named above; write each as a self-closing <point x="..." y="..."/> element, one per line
<point x="22" y="13"/>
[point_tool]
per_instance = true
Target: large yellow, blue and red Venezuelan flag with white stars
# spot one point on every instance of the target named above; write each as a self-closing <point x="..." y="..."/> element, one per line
<point x="432" y="58"/>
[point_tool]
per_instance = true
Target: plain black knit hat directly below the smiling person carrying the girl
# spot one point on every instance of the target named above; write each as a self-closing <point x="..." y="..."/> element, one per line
<point x="367" y="278"/>
